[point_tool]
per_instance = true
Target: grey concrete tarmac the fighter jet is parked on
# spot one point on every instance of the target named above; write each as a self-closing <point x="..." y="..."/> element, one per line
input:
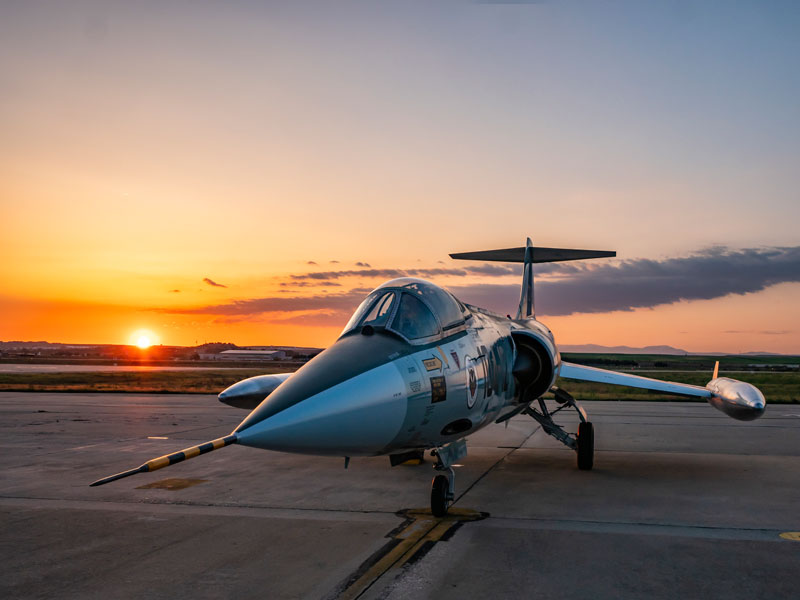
<point x="683" y="502"/>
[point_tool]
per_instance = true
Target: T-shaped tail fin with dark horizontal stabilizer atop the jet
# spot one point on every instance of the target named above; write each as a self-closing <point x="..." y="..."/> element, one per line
<point x="530" y="254"/>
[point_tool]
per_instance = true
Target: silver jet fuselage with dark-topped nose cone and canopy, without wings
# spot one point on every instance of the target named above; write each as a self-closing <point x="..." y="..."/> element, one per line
<point x="387" y="387"/>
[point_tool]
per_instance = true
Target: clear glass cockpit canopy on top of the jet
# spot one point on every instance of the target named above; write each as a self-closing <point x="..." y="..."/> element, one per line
<point x="414" y="308"/>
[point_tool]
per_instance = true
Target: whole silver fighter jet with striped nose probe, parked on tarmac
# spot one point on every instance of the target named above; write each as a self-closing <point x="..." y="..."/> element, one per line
<point x="415" y="370"/>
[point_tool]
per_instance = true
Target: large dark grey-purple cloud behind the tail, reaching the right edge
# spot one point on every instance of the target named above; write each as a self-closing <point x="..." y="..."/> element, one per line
<point x="711" y="273"/>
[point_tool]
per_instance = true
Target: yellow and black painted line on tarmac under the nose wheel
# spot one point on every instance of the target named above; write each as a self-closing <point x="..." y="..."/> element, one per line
<point x="424" y="528"/>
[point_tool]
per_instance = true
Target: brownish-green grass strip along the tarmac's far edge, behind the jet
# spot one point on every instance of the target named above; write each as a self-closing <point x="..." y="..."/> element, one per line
<point x="778" y="387"/>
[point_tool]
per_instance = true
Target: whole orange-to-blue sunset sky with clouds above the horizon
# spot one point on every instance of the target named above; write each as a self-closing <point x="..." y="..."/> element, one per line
<point x="247" y="171"/>
